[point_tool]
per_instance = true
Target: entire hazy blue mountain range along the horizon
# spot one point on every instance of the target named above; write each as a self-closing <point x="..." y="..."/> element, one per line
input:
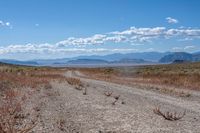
<point x="117" y="58"/>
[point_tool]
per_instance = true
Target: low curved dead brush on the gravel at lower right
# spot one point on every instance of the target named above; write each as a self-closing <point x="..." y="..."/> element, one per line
<point x="169" y="115"/>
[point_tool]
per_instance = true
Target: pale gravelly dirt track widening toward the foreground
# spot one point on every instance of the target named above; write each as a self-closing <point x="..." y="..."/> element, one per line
<point x="63" y="108"/>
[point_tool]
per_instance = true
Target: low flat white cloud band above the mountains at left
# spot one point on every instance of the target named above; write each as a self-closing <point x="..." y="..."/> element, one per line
<point x="48" y="48"/>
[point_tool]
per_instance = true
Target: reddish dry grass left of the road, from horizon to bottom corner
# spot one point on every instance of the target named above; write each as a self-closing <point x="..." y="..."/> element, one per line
<point x="12" y="103"/>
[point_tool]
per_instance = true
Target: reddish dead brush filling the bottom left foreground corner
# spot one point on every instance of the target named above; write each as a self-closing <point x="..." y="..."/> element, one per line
<point x="11" y="114"/>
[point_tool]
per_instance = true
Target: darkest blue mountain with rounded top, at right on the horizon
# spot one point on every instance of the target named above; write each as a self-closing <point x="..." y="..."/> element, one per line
<point x="177" y="56"/>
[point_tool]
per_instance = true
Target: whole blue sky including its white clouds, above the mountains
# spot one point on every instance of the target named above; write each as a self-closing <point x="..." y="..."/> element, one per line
<point x="31" y="29"/>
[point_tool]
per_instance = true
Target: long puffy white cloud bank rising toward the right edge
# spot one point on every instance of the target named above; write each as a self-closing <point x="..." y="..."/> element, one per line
<point x="133" y="35"/>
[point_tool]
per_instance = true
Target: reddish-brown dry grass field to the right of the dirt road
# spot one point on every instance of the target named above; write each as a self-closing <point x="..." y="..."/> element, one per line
<point x="168" y="76"/>
